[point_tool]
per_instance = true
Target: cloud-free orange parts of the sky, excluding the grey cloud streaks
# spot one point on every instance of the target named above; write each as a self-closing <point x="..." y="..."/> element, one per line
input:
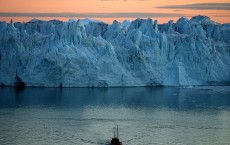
<point x="109" y="6"/>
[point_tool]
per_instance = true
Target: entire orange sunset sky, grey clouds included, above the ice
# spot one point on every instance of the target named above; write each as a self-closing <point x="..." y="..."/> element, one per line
<point x="109" y="10"/>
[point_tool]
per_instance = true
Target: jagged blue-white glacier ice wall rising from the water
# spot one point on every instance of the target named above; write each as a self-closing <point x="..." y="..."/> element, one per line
<point x="144" y="53"/>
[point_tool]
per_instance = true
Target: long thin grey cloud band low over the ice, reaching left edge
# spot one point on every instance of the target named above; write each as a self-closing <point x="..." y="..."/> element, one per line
<point x="93" y="15"/>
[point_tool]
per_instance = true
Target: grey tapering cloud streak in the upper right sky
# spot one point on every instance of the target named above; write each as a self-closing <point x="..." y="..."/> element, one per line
<point x="200" y="6"/>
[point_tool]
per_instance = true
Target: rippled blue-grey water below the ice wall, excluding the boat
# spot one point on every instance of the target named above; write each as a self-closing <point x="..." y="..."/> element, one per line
<point x="87" y="116"/>
